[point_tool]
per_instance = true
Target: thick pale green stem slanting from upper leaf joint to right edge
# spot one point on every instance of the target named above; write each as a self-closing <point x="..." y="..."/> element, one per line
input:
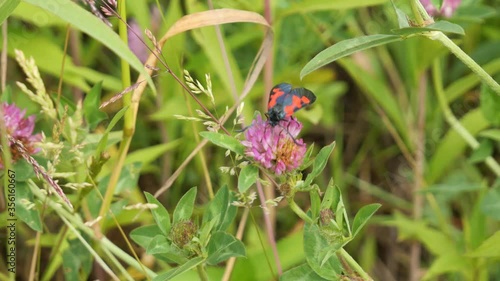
<point x="461" y="55"/>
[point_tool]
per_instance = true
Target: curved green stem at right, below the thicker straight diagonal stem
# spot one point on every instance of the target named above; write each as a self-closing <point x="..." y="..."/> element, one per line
<point x="452" y="120"/>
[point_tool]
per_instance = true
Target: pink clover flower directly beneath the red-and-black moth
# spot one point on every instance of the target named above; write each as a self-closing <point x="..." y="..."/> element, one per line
<point x="275" y="148"/>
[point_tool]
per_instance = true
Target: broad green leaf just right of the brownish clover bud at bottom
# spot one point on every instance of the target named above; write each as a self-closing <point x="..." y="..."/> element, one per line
<point x="222" y="246"/>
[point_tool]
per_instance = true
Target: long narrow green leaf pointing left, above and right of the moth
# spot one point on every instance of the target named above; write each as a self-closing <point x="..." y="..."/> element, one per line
<point x="345" y="48"/>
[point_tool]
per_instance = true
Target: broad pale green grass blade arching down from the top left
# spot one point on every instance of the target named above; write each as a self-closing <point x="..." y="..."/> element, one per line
<point x="94" y="27"/>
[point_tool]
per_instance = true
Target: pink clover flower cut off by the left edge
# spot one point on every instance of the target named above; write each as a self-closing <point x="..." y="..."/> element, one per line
<point x="19" y="129"/>
